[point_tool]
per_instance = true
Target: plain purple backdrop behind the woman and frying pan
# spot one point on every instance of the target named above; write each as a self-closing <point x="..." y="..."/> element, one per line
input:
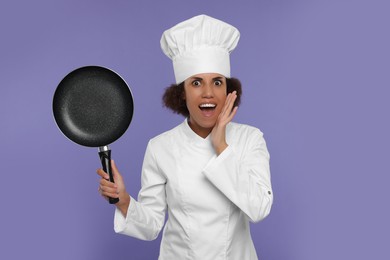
<point x="315" y="77"/>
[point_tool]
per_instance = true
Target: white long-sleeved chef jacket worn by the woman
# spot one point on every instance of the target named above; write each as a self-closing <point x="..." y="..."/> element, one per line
<point x="210" y="199"/>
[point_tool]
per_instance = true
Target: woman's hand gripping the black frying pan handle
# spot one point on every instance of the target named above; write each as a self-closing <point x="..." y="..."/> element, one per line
<point x="114" y="190"/>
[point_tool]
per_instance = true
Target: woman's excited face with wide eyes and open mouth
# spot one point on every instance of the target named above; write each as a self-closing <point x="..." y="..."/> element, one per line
<point x="205" y="95"/>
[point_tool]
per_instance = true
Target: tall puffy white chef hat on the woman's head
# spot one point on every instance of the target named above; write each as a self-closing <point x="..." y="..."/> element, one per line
<point x="201" y="44"/>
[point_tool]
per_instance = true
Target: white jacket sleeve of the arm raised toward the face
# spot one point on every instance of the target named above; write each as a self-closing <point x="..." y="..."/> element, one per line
<point x="242" y="174"/>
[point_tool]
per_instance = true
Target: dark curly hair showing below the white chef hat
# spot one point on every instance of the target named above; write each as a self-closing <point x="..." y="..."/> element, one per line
<point x="173" y="97"/>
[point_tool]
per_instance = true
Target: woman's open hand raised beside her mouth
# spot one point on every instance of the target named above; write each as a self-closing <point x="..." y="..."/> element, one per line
<point x="218" y="134"/>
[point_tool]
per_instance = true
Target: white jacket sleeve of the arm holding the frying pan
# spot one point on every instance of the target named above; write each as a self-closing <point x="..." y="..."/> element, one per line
<point x="145" y="217"/>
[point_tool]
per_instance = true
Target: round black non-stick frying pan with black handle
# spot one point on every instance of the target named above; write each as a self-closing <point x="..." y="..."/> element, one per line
<point x="93" y="106"/>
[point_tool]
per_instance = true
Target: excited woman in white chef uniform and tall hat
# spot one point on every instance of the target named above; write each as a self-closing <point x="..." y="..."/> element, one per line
<point x="210" y="174"/>
